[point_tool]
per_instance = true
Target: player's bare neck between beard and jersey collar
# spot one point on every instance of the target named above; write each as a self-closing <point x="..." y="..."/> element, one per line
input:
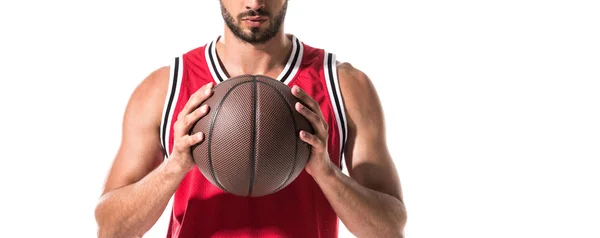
<point x="239" y="57"/>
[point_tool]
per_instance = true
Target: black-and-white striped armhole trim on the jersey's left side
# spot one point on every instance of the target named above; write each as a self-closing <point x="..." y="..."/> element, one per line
<point x="175" y="74"/>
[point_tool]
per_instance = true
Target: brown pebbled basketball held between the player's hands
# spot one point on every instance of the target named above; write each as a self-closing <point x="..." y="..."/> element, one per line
<point x="251" y="145"/>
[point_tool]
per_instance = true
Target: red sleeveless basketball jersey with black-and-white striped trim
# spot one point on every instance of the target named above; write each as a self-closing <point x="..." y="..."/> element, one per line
<point x="201" y="209"/>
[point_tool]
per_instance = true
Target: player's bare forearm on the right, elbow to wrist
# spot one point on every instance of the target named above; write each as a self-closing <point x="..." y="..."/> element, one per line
<point x="365" y="212"/>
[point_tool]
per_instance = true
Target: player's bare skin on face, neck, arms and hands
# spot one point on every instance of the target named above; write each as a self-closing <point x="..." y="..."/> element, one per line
<point x="140" y="183"/>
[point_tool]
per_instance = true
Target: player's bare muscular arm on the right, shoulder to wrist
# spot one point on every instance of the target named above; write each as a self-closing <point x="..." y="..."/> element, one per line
<point x="369" y="202"/>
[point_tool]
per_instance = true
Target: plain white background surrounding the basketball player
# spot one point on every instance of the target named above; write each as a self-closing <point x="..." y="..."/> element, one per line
<point x="492" y="107"/>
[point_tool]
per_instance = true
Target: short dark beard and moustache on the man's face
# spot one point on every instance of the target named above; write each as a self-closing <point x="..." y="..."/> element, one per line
<point x="256" y="34"/>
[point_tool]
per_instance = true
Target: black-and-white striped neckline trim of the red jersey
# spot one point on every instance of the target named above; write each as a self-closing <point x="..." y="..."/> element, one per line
<point x="286" y="75"/>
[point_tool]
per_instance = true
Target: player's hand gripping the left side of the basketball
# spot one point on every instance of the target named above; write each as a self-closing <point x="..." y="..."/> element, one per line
<point x="189" y="115"/>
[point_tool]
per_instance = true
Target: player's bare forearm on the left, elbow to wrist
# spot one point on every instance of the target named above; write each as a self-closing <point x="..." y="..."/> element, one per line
<point x="131" y="211"/>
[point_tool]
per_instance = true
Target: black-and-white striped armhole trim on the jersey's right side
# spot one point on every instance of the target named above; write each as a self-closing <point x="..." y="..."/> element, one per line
<point x="331" y="79"/>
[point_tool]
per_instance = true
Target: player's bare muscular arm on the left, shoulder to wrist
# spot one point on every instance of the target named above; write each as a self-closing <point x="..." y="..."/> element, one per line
<point x="140" y="183"/>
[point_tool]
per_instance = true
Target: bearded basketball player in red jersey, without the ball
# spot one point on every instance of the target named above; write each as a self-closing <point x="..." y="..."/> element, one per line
<point x="340" y="102"/>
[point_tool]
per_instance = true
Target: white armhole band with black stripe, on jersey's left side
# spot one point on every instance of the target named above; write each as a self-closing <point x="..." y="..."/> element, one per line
<point x="172" y="98"/>
